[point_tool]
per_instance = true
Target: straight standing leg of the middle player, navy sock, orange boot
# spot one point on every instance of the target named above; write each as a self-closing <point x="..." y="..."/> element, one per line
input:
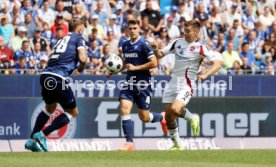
<point x="125" y="109"/>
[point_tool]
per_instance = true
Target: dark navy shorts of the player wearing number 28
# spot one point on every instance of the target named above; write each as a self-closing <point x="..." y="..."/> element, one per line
<point x="53" y="90"/>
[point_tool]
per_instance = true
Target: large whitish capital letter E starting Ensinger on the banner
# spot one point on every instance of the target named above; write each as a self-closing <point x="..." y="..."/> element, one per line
<point x="104" y="117"/>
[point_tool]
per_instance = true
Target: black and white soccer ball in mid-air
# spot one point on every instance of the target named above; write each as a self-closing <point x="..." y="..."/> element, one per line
<point x="114" y="64"/>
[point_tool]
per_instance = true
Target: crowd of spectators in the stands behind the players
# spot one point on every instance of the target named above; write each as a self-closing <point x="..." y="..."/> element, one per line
<point x="242" y="31"/>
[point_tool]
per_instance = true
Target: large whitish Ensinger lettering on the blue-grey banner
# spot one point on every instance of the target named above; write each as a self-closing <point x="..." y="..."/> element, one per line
<point x="212" y="124"/>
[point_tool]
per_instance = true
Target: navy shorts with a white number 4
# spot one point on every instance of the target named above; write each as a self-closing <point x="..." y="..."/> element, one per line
<point x="142" y="98"/>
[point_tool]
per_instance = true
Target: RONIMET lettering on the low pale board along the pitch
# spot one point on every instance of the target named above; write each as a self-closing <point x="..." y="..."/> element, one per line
<point x="78" y="145"/>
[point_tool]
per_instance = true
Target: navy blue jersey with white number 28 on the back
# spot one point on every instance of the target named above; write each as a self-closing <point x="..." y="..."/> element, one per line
<point x="64" y="57"/>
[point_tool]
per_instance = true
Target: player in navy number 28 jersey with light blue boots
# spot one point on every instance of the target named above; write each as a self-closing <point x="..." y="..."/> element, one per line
<point x="66" y="54"/>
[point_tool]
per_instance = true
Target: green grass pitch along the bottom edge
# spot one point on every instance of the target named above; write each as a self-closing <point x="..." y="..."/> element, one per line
<point x="207" y="158"/>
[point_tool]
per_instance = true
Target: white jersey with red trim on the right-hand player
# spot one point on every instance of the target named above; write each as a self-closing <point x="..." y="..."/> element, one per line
<point x="188" y="57"/>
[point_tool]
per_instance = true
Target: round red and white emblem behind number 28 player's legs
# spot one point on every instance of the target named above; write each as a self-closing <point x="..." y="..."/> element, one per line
<point x="66" y="132"/>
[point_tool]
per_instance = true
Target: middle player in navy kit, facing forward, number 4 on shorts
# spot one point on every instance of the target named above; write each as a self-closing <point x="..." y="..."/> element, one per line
<point x="138" y="60"/>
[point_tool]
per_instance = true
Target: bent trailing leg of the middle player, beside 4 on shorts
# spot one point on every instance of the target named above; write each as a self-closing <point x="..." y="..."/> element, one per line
<point x="143" y="101"/>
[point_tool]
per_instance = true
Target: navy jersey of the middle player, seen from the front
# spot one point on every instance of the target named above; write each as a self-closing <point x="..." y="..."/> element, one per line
<point x="137" y="53"/>
